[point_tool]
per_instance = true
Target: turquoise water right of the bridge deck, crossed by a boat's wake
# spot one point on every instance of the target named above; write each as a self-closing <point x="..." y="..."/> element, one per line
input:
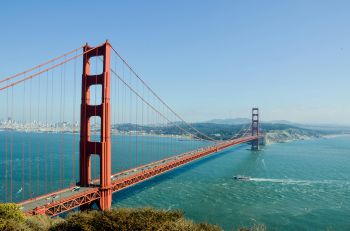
<point x="301" y="185"/>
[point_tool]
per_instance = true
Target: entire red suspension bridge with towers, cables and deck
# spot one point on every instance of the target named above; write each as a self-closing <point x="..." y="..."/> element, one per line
<point x="124" y="127"/>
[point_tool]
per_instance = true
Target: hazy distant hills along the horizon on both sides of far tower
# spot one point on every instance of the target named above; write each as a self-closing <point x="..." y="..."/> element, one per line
<point x="223" y="129"/>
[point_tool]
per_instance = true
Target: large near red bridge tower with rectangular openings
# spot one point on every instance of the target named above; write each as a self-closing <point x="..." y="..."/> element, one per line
<point x="101" y="148"/>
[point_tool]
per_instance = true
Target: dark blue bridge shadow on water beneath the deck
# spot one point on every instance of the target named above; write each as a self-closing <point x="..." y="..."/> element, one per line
<point x="133" y="190"/>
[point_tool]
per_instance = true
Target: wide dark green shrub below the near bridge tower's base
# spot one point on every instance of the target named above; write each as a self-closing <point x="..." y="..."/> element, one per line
<point x="130" y="219"/>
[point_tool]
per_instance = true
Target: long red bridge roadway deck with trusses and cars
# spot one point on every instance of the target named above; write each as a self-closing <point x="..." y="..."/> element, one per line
<point x="67" y="199"/>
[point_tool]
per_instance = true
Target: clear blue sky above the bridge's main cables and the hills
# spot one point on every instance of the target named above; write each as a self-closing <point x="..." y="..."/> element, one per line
<point x="206" y="59"/>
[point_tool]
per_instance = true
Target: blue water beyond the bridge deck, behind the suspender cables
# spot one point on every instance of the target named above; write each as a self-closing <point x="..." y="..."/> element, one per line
<point x="40" y="163"/>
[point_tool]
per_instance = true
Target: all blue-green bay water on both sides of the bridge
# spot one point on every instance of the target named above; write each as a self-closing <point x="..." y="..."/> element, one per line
<point x="301" y="185"/>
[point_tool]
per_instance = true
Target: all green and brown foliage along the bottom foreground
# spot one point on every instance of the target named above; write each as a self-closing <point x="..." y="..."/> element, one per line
<point x="11" y="218"/>
